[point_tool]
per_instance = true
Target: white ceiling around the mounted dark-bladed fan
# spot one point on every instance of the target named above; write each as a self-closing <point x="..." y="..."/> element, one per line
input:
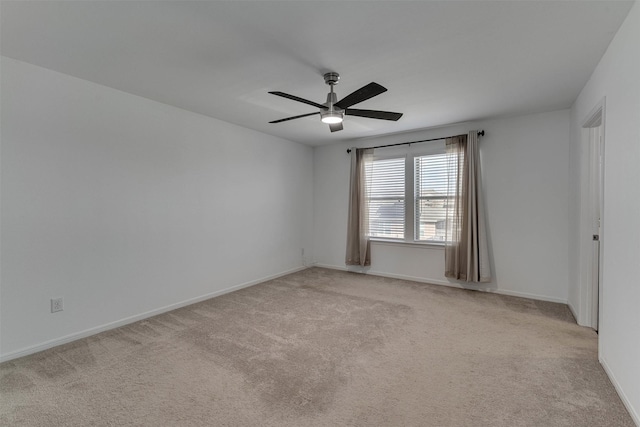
<point x="442" y="62"/>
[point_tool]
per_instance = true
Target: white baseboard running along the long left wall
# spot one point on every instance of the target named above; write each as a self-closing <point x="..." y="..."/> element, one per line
<point x="122" y="322"/>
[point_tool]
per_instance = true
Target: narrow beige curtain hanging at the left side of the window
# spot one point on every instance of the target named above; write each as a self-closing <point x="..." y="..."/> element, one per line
<point x="358" y="245"/>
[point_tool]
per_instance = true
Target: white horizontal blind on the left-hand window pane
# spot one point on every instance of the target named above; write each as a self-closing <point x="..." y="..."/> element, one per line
<point x="386" y="195"/>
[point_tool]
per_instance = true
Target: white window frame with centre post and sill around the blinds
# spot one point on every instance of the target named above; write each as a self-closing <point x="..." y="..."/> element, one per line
<point x="435" y="147"/>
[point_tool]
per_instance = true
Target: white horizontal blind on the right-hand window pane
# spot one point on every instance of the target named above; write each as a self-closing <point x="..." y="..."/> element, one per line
<point x="430" y="196"/>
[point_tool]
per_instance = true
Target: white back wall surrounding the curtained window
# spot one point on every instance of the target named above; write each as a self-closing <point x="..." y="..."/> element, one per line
<point x="525" y="176"/>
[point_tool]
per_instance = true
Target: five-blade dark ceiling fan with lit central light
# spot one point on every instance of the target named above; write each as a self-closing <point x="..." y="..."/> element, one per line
<point x="332" y="112"/>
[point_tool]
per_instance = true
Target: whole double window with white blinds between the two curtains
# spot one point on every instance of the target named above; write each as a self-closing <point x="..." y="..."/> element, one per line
<point x="407" y="195"/>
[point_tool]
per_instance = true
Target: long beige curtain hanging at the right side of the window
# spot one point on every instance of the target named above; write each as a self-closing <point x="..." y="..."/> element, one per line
<point x="466" y="250"/>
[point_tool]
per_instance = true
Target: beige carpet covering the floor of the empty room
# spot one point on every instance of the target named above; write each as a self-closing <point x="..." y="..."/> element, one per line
<point x="325" y="348"/>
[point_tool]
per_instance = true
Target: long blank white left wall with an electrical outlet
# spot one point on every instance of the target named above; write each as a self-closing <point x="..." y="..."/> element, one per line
<point x="125" y="206"/>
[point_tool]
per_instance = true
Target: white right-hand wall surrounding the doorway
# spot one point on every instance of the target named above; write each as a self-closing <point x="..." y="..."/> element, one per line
<point x="616" y="78"/>
